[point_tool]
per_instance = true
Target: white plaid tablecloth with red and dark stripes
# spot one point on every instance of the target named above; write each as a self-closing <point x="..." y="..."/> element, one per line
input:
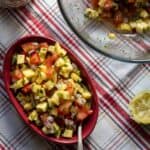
<point x="116" y="84"/>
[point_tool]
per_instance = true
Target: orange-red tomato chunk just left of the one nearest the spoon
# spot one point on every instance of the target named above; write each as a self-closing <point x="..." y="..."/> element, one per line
<point x="64" y="108"/>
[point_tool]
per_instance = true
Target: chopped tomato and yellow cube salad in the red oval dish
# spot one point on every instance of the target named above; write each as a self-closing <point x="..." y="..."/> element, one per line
<point x="50" y="88"/>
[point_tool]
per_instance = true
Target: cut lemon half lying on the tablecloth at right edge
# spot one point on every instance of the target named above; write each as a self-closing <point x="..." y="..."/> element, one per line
<point x="139" y="107"/>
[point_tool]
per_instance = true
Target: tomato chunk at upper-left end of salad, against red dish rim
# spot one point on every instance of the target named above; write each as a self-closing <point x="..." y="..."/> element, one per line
<point x="30" y="46"/>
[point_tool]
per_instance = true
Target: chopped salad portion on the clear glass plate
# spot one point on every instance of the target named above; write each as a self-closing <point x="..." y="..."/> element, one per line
<point x="125" y="15"/>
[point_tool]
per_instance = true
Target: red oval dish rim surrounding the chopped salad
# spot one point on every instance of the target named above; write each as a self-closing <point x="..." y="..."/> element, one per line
<point x="88" y="124"/>
